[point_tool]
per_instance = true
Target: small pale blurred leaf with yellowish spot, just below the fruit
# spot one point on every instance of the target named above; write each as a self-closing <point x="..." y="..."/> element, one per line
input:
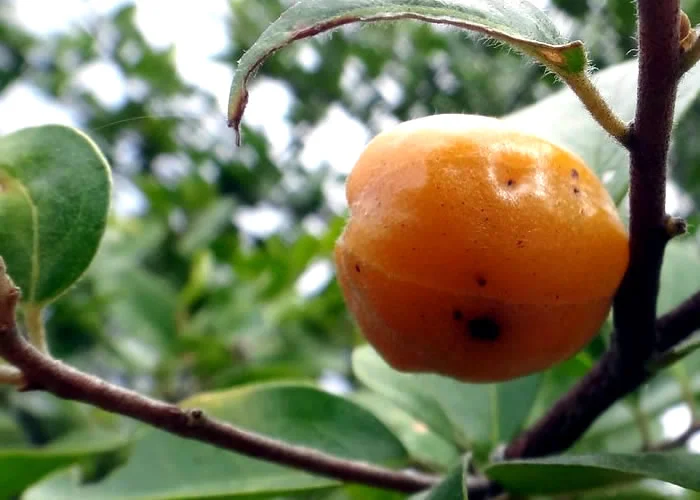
<point x="423" y="444"/>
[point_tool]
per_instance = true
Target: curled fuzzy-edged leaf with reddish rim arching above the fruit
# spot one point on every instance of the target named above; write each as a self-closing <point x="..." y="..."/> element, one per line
<point x="518" y="23"/>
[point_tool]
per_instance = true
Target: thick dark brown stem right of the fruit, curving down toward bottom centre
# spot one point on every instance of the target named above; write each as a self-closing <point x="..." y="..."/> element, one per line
<point x="624" y="367"/>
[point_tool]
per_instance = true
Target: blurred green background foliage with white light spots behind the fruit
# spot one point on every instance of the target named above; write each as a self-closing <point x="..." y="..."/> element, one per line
<point x="186" y="295"/>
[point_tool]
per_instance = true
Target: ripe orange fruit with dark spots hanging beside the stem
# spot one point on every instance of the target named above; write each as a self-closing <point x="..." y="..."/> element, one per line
<point x="476" y="251"/>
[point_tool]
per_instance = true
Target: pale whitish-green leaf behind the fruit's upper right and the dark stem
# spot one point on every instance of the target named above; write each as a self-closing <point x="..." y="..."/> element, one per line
<point x="562" y="118"/>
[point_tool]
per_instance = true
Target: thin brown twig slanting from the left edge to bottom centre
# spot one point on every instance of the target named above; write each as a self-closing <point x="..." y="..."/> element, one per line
<point x="44" y="373"/>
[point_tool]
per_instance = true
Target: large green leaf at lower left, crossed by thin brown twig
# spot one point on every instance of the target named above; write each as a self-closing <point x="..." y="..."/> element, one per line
<point x="167" y="466"/>
